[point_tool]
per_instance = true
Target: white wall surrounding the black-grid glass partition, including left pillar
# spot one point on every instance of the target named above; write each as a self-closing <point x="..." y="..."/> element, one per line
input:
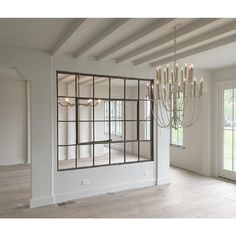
<point x="49" y="185"/>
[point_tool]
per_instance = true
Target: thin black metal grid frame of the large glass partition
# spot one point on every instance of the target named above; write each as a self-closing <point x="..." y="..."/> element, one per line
<point x="109" y="142"/>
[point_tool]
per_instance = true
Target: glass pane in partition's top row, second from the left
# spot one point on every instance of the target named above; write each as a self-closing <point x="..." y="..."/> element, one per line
<point x="85" y="86"/>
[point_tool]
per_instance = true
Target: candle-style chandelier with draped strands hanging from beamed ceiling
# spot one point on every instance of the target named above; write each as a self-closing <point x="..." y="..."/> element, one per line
<point x="178" y="94"/>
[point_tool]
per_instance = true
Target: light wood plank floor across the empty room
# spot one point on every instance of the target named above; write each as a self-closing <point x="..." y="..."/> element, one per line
<point x="189" y="195"/>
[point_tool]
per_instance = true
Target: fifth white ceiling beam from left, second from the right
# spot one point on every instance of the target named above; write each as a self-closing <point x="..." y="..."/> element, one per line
<point x="188" y="43"/>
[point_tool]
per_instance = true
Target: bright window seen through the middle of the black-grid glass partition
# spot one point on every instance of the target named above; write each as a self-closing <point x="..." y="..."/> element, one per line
<point x="116" y="115"/>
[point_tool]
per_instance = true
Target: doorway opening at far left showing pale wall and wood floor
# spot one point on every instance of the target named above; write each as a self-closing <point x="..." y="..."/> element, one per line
<point x="15" y="146"/>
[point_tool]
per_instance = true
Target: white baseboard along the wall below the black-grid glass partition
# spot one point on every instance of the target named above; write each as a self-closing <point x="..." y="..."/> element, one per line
<point x="97" y="191"/>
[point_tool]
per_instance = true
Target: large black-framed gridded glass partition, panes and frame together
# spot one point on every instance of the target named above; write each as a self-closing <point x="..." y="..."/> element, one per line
<point x="102" y="120"/>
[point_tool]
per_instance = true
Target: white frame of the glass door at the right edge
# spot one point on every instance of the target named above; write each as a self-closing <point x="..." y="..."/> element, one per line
<point x="221" y="86"/>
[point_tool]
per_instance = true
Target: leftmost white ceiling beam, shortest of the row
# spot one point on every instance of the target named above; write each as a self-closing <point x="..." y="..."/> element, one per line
<point x="67" y="36"/>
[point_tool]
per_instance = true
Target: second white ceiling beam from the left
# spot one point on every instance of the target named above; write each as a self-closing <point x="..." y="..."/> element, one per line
<point x="116" y="25"/>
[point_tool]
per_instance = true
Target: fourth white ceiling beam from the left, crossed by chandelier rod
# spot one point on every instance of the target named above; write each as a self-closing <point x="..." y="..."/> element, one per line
<point x="165" y="39"/>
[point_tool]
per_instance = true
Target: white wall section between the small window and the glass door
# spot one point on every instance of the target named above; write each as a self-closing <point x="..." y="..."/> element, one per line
<point x="196" y="155"/>
